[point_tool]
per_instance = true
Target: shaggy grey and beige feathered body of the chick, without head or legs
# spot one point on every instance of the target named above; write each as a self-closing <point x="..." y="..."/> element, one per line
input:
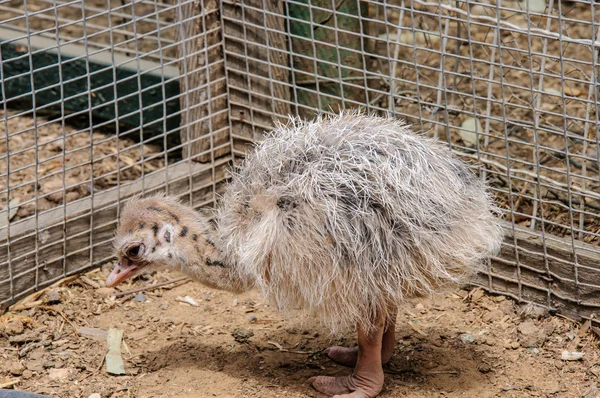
<point x="347" y="216"/>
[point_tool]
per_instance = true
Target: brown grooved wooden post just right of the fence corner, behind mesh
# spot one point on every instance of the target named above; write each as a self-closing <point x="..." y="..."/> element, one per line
<point x="256" y="49"/>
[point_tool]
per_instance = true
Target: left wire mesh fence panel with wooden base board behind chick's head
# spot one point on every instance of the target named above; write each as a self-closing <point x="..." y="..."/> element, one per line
<point x="90" y="116"/>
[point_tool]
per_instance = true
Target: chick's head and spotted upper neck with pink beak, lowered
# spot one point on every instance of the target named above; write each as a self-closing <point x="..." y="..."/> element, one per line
<point x="161" y="233"/>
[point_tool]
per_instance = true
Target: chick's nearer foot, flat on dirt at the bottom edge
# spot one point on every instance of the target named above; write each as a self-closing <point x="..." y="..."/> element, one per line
<point x="366" y="386"/>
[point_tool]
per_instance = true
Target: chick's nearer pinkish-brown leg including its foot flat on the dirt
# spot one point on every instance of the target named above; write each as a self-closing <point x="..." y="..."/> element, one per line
<point x="366" y="380"/>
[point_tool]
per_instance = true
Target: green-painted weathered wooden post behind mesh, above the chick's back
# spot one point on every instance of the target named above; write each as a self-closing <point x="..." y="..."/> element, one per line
<point x="327" y="41"/>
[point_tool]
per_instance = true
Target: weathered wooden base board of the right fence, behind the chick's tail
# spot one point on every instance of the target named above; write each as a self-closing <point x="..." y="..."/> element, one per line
<point x="531" y="269"/>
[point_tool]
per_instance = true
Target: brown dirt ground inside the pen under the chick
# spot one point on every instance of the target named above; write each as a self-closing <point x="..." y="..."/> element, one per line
<point x="466" y="344"/>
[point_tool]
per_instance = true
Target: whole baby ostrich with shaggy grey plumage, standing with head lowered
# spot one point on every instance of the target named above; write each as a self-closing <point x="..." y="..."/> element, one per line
<point x="344" y="217"/>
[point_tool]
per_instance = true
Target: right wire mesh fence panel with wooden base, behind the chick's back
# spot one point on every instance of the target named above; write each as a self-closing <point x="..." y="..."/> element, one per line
<point x="511" y="86"/>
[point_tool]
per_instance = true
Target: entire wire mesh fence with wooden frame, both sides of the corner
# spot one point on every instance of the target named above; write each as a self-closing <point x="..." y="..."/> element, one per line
<point x="511" y="86"/>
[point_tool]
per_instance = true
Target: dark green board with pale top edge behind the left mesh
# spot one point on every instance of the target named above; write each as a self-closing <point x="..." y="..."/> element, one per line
<point x="136" y="103"/>
